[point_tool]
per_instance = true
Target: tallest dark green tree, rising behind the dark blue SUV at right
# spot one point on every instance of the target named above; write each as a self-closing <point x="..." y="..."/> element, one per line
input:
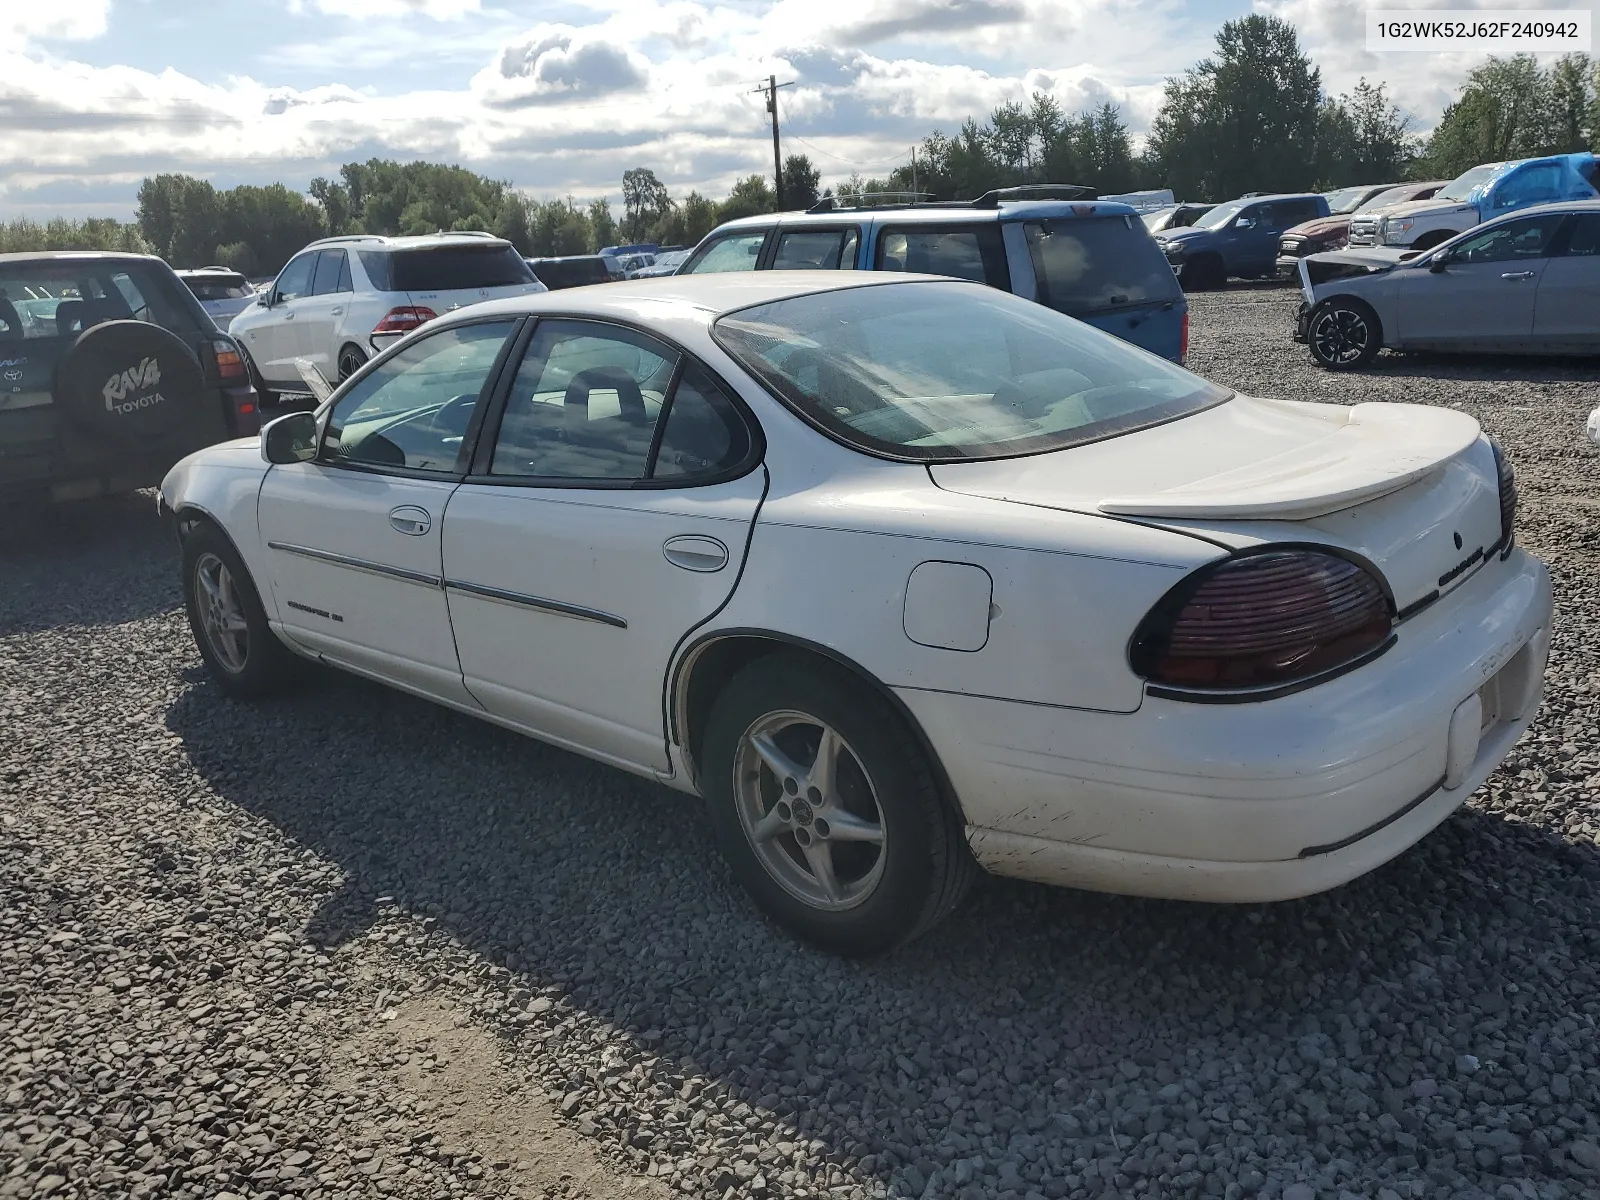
<point x="1247" y="119"/>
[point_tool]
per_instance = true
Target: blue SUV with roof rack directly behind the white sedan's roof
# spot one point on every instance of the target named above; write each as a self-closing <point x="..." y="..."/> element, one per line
<point x="1087" y="258"/>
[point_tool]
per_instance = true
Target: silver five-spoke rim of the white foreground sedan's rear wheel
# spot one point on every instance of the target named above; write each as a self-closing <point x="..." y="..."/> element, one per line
<point x="810" y="810"/>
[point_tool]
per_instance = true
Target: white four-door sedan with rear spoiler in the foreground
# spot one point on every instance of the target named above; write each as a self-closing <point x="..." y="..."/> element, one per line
<point x="905" y="578"/>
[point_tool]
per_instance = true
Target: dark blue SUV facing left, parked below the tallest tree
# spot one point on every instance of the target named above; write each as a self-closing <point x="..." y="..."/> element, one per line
<point x="1239" y="239"/>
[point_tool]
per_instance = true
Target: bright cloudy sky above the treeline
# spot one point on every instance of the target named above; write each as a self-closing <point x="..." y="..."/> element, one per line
<point x="562" y="97"/>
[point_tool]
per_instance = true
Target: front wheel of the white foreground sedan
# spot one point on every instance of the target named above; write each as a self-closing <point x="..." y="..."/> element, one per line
<point x="228" y="620"/>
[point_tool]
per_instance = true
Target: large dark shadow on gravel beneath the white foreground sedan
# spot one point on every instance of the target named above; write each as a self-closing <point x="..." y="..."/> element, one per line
<point x="1034" y="1014"/>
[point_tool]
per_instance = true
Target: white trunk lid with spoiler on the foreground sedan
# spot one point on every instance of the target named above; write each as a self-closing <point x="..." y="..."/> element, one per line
<point x="1410" y="489"/>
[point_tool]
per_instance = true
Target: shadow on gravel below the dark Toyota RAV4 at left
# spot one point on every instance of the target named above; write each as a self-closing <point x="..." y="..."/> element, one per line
<point x="87" y="564"/>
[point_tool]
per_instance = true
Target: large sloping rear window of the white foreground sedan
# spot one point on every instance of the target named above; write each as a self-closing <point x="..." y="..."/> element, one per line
<point x="951" y="372"/>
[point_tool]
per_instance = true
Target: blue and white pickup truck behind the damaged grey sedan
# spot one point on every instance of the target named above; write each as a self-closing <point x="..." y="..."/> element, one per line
<point x="1473" y="198"/>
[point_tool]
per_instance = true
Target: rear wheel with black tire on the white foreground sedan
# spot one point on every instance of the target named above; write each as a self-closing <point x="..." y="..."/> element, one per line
<point x="826" y="809"/>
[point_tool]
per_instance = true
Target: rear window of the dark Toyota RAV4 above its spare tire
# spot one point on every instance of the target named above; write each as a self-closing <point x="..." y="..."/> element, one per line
<point x="60" y="298"/>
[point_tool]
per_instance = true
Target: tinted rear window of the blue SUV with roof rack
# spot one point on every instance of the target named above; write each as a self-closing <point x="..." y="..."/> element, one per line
<point x="1092" y="265"/>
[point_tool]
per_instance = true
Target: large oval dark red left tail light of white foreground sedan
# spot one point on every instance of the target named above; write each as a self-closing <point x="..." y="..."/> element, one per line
<point x="1263" y="622"/>
